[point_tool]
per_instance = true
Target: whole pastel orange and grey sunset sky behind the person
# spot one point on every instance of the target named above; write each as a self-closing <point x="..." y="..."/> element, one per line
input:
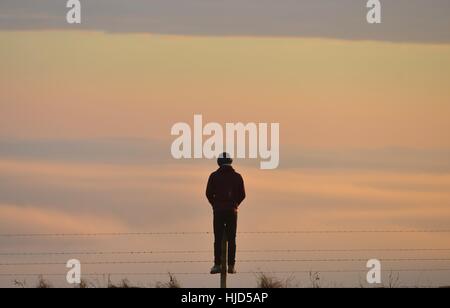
<point x="86" y="113"/>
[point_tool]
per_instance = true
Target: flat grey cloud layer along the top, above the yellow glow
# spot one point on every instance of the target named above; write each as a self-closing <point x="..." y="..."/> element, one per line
<point x="403" y="20"/>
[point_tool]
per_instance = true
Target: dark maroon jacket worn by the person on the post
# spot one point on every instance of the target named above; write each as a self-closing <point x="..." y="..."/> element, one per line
<point x="225" y="189"/>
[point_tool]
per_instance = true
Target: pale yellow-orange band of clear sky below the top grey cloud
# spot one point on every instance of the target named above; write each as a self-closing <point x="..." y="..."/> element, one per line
<point x="323" y="92"/>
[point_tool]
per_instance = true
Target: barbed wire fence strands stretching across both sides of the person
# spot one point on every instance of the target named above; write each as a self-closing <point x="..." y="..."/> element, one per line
<point x="19" y="267"/>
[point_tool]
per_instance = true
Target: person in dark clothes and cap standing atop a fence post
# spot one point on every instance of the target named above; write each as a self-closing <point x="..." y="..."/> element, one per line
<point x="225" y="192"/>
